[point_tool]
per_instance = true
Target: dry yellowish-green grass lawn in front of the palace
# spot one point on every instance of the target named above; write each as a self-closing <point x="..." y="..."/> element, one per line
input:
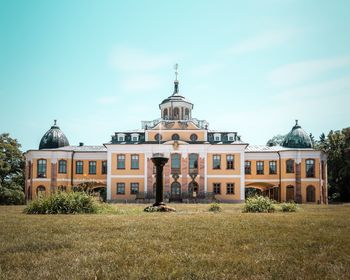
<point x="313" y="243"/>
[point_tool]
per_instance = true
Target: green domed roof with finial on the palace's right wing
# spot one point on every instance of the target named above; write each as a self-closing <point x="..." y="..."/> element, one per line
<point x="297" y="138"/>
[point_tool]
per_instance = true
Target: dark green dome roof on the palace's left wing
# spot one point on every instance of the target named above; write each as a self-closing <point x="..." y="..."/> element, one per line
<point x="54" y="138"/>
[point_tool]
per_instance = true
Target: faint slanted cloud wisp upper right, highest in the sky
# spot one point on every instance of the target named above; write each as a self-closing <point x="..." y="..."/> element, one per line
<point x="264" y="40"/>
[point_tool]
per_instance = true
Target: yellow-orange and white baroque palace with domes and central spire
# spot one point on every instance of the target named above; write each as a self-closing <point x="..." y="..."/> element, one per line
<point x="203" y="164"/>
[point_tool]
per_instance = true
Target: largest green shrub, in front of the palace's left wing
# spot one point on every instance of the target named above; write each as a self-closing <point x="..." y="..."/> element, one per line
<point x="63" y="203"/>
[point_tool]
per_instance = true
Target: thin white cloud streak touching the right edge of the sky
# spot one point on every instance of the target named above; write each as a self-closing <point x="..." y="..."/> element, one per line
<point x="296" y="73"/>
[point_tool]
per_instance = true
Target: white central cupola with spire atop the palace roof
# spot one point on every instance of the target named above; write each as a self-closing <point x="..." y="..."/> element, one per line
<point x="176" y="106"/>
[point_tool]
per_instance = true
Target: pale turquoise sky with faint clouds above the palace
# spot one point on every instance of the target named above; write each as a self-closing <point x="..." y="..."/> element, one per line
<point x="103" y="66"/>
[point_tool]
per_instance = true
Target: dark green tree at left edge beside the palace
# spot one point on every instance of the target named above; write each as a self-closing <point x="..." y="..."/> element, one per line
<point x="11" y="171"/>
